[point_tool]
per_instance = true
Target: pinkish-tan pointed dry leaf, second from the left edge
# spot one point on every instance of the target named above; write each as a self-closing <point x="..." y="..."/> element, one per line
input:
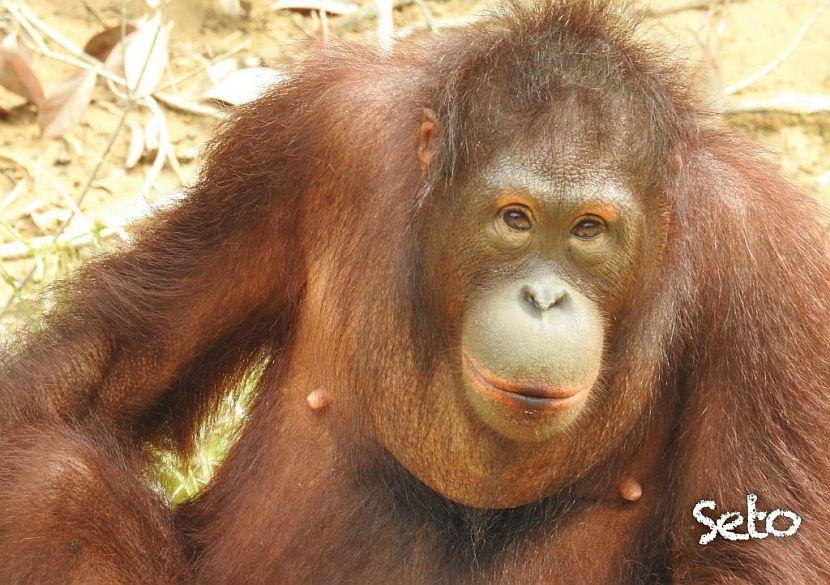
<point x="65" y="104"/>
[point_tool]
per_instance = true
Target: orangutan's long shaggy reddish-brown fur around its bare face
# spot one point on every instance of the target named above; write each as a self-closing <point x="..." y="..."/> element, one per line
<point x="297" y="250"/>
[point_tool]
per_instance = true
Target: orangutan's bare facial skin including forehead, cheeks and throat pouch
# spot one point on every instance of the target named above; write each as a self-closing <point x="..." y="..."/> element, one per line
<point x="545" y="239"/>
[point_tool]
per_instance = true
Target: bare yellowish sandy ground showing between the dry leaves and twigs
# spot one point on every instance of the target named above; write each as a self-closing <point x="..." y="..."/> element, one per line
<point x="741" y="36"/>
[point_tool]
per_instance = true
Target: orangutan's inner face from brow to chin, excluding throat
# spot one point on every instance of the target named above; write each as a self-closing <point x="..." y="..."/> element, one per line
<point x="532" y="337"/>
